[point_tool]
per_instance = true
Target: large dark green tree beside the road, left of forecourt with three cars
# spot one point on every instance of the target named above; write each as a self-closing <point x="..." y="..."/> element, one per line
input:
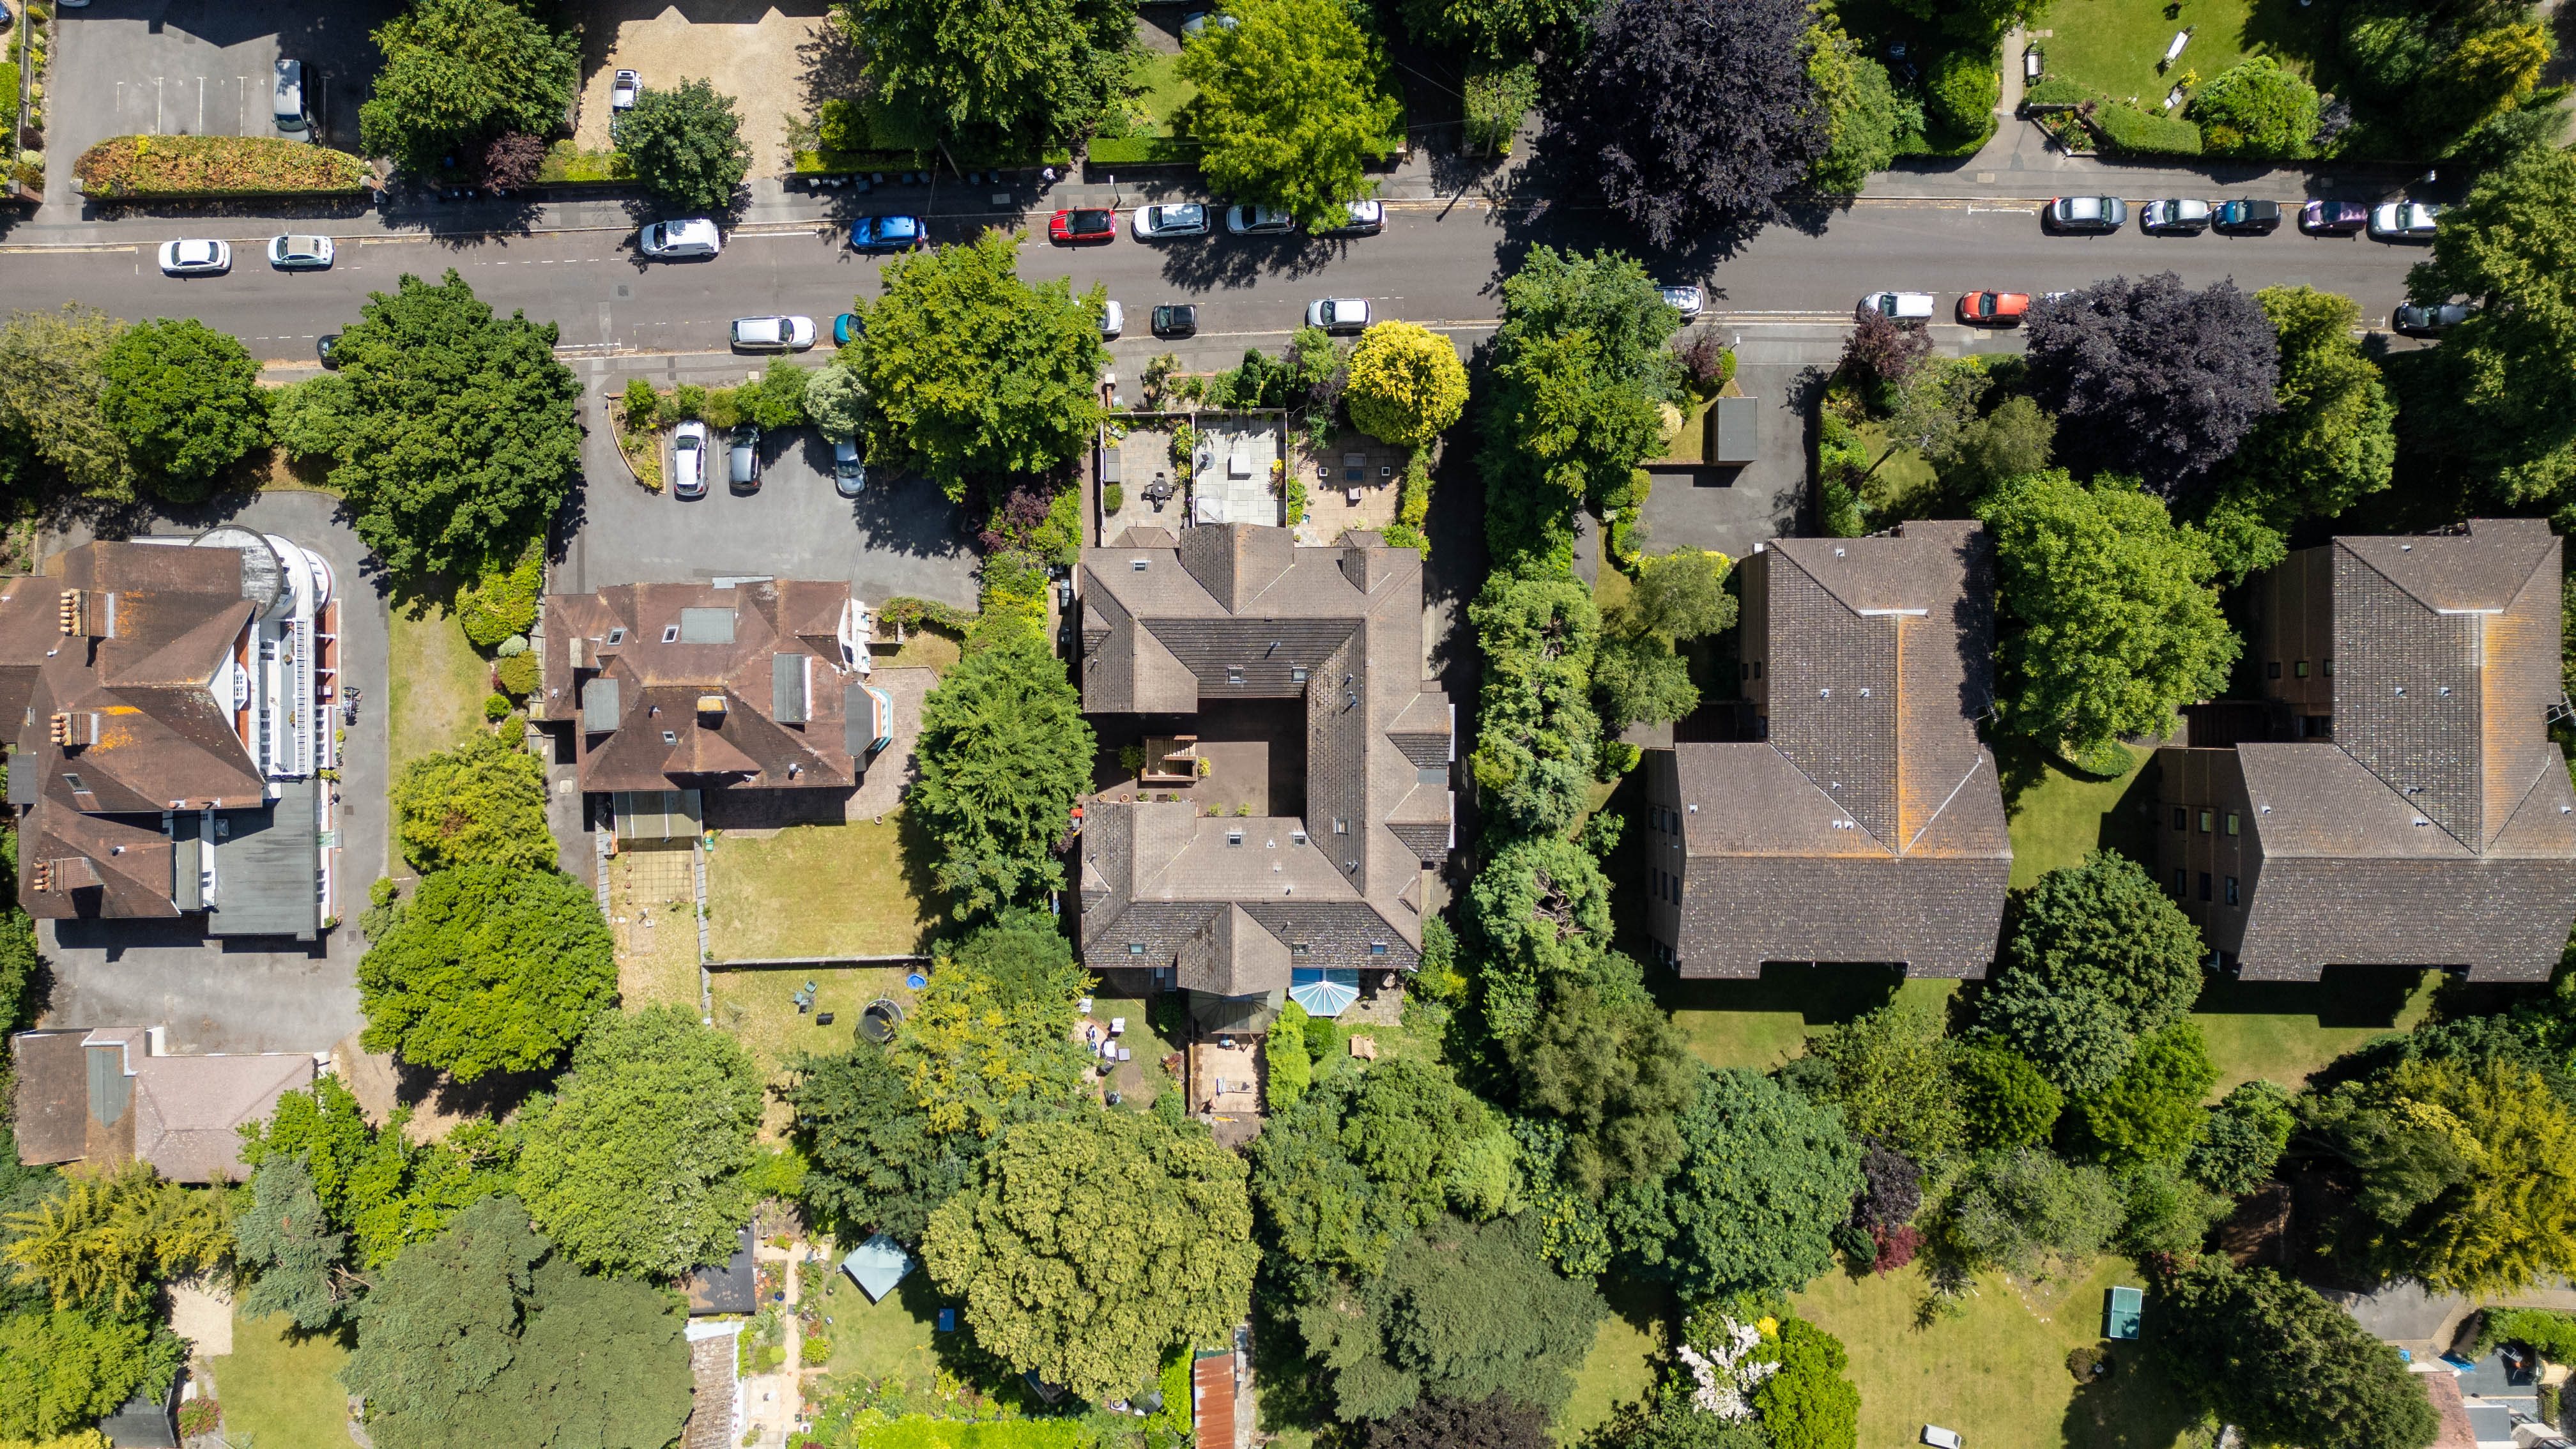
<point x="455" y="432"/>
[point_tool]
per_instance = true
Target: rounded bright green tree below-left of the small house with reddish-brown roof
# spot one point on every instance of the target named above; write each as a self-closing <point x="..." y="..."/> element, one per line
<point x="488" y="971"/>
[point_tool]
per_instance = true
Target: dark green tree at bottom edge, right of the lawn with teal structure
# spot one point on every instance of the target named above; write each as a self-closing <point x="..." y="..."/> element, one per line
<point x="2286" y="1365"/>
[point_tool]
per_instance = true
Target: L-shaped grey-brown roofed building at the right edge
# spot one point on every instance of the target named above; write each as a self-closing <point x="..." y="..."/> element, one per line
<point x="2394" y="795"/>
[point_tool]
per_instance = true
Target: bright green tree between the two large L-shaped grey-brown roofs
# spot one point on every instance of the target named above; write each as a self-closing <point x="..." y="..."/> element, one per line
<point x="2111" y="615"/>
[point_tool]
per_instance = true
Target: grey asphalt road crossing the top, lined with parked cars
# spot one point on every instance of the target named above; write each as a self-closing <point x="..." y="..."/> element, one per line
<point x="1436" y="264"/>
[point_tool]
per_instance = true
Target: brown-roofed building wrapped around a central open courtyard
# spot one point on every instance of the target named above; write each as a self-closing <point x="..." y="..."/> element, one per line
<point x="1294" y="785"/>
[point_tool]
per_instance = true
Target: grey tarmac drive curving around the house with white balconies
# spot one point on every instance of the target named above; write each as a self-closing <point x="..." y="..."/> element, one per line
<point x="246" y="994"/>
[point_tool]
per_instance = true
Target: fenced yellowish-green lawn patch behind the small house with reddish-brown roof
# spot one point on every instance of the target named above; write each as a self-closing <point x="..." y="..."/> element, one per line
<point x="818" y="891"/>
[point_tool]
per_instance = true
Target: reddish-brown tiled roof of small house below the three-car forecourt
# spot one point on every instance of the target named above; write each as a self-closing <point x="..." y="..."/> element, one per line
<point x="661" y="685"/>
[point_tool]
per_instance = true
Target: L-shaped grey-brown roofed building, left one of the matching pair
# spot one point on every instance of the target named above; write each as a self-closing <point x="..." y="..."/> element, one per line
<point x="1859" y="816"/>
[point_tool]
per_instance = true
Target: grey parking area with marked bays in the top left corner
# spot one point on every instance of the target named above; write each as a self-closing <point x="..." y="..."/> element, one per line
<point x="200" y="68"/>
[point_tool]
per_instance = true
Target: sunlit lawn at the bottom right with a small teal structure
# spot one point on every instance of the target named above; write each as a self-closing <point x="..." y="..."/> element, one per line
<point x="2000" y="1370"/>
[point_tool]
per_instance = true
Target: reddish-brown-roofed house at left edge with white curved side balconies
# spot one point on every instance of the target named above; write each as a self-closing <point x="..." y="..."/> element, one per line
<point x="171" y="708"/>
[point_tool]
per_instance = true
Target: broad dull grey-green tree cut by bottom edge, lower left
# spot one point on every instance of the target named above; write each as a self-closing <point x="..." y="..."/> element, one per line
<point x="488" y="1337"/>
